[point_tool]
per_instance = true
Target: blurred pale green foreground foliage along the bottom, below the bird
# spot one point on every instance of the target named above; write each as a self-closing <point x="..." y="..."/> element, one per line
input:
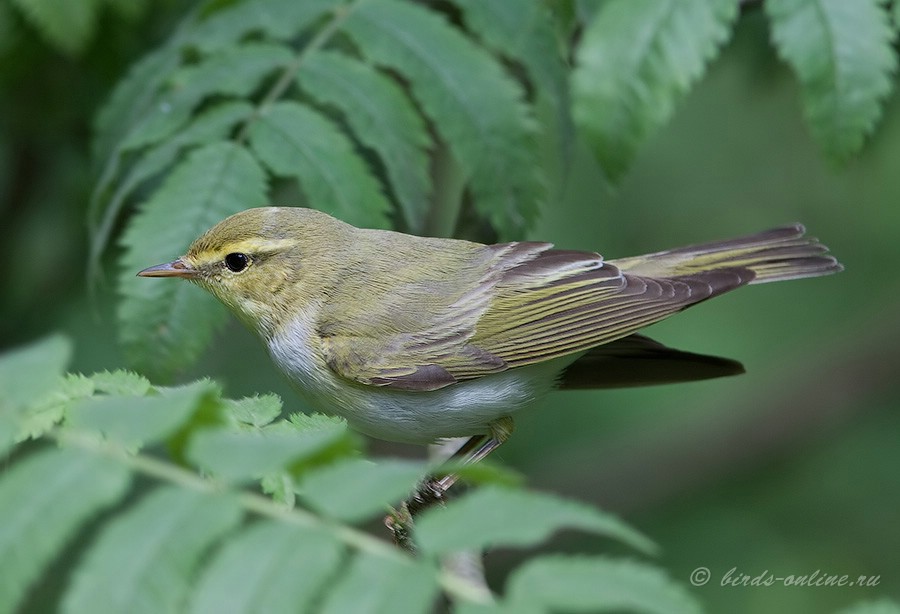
<point x="174" y="473"/>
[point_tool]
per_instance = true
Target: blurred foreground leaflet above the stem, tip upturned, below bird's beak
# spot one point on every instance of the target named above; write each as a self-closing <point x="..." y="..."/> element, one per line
<point x="142" y="420"/>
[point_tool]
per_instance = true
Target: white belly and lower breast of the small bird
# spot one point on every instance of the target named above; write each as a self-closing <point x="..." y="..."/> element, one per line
<point x="458" y="410"/>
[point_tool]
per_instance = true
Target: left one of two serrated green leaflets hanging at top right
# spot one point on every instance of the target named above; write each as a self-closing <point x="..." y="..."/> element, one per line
<point x="636" y="60"/>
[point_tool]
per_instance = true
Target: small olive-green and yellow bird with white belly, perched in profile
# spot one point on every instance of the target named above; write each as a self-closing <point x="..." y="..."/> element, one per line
<point x="416" y="339"/>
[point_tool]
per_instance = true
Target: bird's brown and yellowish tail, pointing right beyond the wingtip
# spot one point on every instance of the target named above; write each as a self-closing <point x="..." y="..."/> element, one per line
<point x="773" y="255"/>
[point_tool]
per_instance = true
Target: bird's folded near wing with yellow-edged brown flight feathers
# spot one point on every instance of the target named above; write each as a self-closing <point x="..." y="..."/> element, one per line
<point x="530" y="304"/>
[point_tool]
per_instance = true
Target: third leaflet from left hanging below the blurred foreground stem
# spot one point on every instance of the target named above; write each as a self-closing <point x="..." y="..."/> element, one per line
<point x="268" y="568"/>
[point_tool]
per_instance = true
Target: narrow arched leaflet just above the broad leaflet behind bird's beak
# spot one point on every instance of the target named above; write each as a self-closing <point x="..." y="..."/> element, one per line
<point x="207" y="127"/>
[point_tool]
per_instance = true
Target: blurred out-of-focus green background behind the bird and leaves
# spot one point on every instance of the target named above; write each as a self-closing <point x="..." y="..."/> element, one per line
<point x="787" y="469"/>
